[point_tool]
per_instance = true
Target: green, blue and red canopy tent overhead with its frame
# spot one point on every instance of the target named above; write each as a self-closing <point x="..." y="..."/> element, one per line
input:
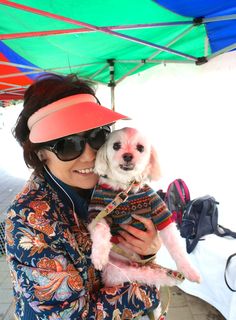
<point x="107" y="40"/>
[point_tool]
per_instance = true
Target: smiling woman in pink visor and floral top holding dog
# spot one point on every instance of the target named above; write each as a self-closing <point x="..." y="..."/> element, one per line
<point x="61" y="127"/>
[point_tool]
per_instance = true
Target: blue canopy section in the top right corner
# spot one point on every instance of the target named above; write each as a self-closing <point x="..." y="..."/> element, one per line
<point x="221" y="34"/>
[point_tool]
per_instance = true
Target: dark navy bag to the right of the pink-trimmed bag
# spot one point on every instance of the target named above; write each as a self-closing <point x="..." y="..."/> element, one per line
<point x="200" y="218"/>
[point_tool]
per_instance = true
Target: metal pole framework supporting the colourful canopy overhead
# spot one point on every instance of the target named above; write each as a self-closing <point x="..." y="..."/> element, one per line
<point x="111" y="30"/>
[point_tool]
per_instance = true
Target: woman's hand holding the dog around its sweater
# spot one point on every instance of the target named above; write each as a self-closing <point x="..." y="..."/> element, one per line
<point x="142" y="242"/>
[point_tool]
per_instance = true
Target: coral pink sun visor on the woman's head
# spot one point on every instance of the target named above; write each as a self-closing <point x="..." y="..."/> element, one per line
<point x="70" y="115"/>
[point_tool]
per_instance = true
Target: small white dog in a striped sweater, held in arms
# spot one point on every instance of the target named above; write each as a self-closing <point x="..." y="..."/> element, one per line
<point x="125" y="157"/>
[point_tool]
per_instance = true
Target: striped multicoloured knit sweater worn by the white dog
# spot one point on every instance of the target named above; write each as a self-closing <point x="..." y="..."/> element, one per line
<point x="145" y="202"/>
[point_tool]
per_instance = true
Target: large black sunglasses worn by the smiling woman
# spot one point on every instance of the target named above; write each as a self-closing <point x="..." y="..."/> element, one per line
<point x="71" y="147"/>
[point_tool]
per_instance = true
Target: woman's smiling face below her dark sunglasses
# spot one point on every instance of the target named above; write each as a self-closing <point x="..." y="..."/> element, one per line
<point x="76" y="173"/>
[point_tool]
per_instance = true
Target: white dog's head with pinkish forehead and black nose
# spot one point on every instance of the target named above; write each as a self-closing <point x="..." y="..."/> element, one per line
<point x="126" y="155"/>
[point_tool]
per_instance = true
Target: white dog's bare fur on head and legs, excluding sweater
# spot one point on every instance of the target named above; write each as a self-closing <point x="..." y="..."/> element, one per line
<point x="126" y="156"/>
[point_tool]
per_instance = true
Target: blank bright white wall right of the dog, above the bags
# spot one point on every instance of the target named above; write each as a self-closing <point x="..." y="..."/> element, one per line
<point x="189" y="111"/>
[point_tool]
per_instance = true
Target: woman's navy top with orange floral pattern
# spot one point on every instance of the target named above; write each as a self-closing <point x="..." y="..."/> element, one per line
<point x="48" y="250"/>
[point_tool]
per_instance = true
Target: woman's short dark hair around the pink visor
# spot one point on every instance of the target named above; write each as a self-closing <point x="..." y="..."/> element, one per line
<point x="45" y="90"/>
